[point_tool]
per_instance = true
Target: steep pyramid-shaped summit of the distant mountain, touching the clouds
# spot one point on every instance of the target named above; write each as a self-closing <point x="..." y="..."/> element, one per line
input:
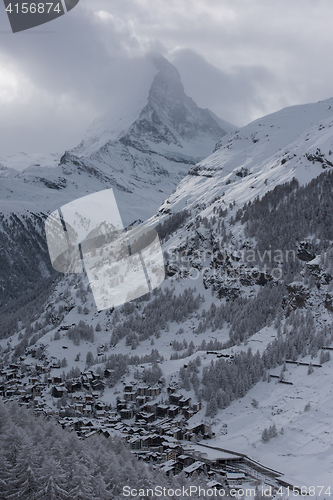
<point x="160" y="115"/>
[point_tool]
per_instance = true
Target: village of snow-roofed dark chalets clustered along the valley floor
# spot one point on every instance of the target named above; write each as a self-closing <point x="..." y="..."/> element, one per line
<point x="155" y="430"/>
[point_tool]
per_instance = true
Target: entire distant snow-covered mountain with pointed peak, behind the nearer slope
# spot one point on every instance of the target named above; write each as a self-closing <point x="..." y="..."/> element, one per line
<point x="142" y="149"/>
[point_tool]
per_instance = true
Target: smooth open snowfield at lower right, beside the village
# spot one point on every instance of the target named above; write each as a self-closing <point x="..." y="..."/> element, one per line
<point x="304" y="451"/>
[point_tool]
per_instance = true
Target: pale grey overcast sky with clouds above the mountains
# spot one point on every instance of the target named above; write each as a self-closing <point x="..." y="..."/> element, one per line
<point x="240" y="58"/>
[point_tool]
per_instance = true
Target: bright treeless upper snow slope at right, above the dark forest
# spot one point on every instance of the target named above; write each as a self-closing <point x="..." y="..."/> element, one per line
<point x="294" y="142"/>
